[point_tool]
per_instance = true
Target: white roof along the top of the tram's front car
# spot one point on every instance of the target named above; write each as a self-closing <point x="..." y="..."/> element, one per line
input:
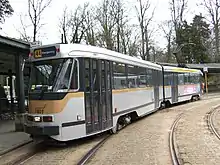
<point x="80" y="50"/>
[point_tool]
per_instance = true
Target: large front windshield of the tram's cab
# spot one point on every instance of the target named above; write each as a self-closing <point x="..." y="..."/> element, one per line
<point x="52" y="75"/>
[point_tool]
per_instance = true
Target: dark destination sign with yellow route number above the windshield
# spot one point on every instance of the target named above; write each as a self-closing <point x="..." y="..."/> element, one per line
<point x="45" y="52"/>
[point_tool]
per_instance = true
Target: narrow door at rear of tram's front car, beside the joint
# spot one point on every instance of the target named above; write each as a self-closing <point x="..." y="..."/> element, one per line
<point x="156" y="81"/>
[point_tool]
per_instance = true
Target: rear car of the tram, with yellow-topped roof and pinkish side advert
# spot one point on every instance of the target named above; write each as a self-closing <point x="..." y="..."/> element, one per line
<point x="185" y="85"/>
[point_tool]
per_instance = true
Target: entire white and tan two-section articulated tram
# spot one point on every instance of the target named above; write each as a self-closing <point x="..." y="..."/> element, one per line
<point x="80" y="90"/>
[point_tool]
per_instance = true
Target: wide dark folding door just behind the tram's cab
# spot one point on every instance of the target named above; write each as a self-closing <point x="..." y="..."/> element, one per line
<point x="98" y="95"/>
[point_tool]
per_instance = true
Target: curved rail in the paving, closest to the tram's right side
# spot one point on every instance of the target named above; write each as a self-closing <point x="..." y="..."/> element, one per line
<point x="173" y="151"/>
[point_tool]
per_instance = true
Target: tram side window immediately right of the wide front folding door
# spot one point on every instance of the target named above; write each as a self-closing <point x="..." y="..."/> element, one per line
<point x="119" y="74"/>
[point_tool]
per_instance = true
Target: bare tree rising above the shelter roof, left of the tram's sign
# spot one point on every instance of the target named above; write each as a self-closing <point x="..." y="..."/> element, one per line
<point x="35" y="10"/>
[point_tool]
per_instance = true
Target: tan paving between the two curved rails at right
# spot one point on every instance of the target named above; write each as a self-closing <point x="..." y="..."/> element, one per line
<point x="196" y="144"/>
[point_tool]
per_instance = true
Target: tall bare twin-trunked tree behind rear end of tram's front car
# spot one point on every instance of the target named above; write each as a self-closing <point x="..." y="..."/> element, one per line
<point x="144" y="23"/>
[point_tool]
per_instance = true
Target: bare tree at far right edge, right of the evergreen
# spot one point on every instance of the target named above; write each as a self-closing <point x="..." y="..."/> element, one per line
<point x="213" y="9"/>
